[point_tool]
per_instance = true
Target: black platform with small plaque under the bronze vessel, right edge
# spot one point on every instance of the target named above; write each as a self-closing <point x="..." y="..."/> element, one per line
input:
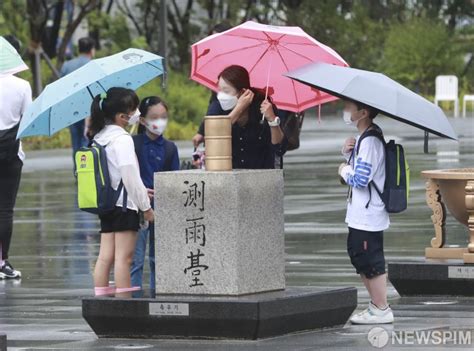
<point x="432" y="278"/>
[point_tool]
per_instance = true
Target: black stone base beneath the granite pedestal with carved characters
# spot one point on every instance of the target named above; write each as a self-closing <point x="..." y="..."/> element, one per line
<point x="252" y="316"/>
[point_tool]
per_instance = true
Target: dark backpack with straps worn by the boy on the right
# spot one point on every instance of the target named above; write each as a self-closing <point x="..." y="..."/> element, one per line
<point x="397" y="173"/>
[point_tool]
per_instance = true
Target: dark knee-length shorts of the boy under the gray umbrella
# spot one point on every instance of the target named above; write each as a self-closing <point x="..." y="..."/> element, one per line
<point x="365" y="250"/>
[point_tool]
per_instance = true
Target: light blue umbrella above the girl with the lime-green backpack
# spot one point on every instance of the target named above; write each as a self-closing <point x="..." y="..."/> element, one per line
<point x="69" y="99"/>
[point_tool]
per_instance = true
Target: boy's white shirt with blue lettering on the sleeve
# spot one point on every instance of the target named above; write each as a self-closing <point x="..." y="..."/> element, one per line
<point x="368" y="165"/>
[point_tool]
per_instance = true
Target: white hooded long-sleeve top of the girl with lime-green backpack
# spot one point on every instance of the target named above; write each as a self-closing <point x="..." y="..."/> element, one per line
<point x="123" y="165"/>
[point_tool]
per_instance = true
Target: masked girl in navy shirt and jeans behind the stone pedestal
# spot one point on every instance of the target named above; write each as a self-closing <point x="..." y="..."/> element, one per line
<point x="155" y="154"/>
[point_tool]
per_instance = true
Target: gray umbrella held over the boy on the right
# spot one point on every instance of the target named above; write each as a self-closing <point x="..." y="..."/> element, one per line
<point x="378" y="91"/>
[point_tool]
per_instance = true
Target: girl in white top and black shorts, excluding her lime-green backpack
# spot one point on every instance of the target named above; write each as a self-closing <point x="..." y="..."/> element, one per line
<point x="111" y="112"/>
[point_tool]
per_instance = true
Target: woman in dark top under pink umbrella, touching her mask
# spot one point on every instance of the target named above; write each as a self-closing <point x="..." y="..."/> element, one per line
<point x="255" y="143"/>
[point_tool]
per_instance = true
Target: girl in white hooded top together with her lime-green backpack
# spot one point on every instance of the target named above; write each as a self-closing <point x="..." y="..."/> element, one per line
<point x="109" y="184"/>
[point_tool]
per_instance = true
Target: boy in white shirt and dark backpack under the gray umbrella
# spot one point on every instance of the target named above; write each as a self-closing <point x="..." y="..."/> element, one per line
<point x="371" y="197"/>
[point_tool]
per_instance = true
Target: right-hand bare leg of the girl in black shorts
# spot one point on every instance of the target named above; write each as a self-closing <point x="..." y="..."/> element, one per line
<point x="124" y="249"/>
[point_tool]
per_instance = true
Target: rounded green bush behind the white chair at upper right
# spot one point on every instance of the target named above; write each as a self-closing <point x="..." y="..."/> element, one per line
<point x="417" y="51"/>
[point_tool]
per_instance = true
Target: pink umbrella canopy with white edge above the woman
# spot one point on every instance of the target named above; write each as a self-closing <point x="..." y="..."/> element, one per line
<point x="266" y="52"/>
